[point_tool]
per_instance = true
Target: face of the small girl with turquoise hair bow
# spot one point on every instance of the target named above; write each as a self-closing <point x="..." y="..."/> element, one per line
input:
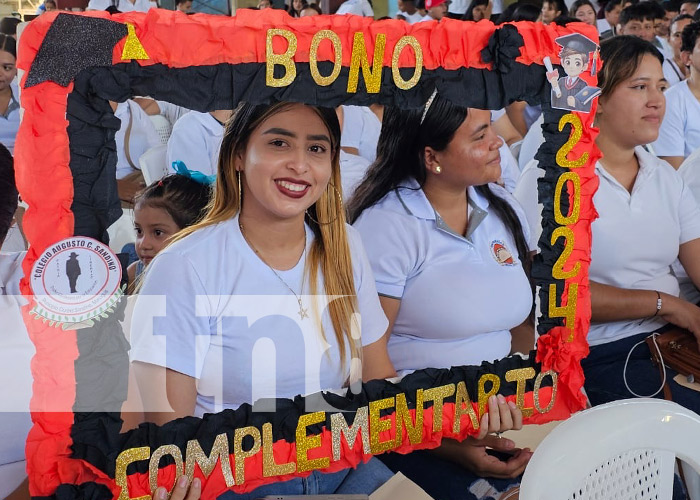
<point x="153" y="227"/>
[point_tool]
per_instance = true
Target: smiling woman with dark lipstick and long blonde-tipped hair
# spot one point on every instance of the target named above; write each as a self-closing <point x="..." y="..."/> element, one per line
<point x="237" y="308"/>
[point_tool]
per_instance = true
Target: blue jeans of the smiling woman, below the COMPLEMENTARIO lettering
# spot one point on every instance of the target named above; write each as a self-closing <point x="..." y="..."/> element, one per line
<point x="363" y="480"/>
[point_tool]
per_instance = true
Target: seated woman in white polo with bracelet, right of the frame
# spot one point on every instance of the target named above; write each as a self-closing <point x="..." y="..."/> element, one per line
<point x="647" y="218"/>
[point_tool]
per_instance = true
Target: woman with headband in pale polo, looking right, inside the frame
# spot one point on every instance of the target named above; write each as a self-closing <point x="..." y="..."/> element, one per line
<point x="449" y="256"/>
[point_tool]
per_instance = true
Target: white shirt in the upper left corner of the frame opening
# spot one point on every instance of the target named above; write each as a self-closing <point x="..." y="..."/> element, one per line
<point x="142" y="136"/>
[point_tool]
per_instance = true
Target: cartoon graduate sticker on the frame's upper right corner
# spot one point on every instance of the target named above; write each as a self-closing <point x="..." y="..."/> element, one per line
<point x="572" y="92"/>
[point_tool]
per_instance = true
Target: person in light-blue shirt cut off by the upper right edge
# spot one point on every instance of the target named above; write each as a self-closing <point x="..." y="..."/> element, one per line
<point x="680" y="131"/>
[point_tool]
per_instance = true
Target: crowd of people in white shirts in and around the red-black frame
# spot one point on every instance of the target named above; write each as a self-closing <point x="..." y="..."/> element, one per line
<point x="420" y="223"/>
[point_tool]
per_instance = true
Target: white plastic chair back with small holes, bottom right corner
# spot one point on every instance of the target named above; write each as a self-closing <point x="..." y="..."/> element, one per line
<point x="621" y="450"/>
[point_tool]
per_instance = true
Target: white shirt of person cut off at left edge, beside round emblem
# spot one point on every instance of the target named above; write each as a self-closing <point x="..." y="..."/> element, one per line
<point x="16" y="352"/>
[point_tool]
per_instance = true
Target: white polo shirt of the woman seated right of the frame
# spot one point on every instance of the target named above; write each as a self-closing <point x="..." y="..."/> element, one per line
<point x="636" y="237"/>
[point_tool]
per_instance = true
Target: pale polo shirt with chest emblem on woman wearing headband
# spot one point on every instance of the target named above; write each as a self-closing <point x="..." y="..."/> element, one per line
<point x="460" y="296"/>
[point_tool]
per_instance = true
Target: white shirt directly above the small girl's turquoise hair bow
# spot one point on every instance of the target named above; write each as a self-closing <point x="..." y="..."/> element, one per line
<point x="196" y="141"/>
